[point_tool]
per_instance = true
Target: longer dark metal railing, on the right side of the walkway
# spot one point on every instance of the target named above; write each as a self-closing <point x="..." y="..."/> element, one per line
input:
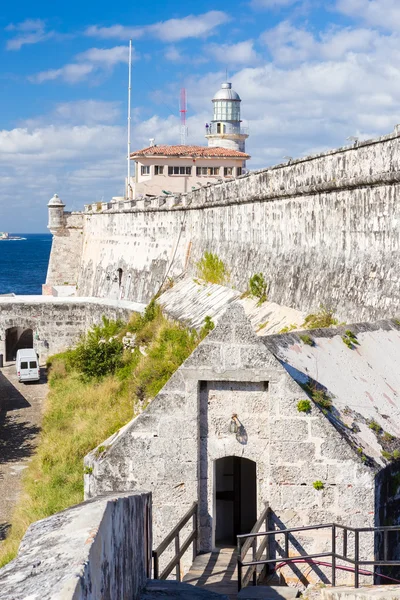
<point x="250" y="539"/>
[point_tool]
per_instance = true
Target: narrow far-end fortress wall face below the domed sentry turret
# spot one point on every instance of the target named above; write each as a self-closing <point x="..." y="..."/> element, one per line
<point x="66" y="252"/>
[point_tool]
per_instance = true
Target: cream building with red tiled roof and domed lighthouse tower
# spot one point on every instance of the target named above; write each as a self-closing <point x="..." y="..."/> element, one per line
<point x="180" y="169"/>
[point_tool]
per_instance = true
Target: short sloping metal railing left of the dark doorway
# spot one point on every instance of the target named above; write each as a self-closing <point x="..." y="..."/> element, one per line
<point x="179" y="549"/>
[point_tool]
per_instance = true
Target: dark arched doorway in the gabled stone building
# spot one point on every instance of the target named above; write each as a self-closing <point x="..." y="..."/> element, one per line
<point x="235" y="498"/>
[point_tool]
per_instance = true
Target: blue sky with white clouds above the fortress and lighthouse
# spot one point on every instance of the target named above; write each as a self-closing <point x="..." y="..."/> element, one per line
<point x="310" y="73"/>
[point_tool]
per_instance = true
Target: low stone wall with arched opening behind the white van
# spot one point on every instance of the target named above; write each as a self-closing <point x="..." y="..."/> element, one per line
<point x="57" y="323"/>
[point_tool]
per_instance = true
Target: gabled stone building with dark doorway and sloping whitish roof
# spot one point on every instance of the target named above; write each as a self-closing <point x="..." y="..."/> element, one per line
<point x="226" y="432"/>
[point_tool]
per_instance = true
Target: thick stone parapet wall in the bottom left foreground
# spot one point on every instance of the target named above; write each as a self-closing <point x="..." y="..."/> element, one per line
<point x="99" y="549"/>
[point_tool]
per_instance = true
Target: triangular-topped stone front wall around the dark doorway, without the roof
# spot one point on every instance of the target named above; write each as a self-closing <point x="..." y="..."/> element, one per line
<point x="173" y="445"/>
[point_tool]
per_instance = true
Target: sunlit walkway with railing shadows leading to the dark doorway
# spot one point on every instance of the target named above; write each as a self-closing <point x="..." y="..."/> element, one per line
<point x="215" y="571"/>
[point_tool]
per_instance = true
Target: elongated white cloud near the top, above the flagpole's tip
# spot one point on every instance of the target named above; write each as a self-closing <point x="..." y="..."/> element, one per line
<point x="173" y="30"/>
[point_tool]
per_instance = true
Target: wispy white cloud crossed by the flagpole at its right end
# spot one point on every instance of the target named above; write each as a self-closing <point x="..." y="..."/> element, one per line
<point x="89" y="62"/>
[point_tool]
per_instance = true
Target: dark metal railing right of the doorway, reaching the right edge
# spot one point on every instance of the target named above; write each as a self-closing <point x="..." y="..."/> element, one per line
<point x="333" y="554"/>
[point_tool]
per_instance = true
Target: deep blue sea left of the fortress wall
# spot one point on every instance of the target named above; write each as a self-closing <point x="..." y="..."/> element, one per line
<point x="23" y="263"/>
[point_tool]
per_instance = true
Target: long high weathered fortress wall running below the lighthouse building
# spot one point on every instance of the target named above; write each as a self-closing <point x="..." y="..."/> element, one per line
<point x="325" y="228"/>
